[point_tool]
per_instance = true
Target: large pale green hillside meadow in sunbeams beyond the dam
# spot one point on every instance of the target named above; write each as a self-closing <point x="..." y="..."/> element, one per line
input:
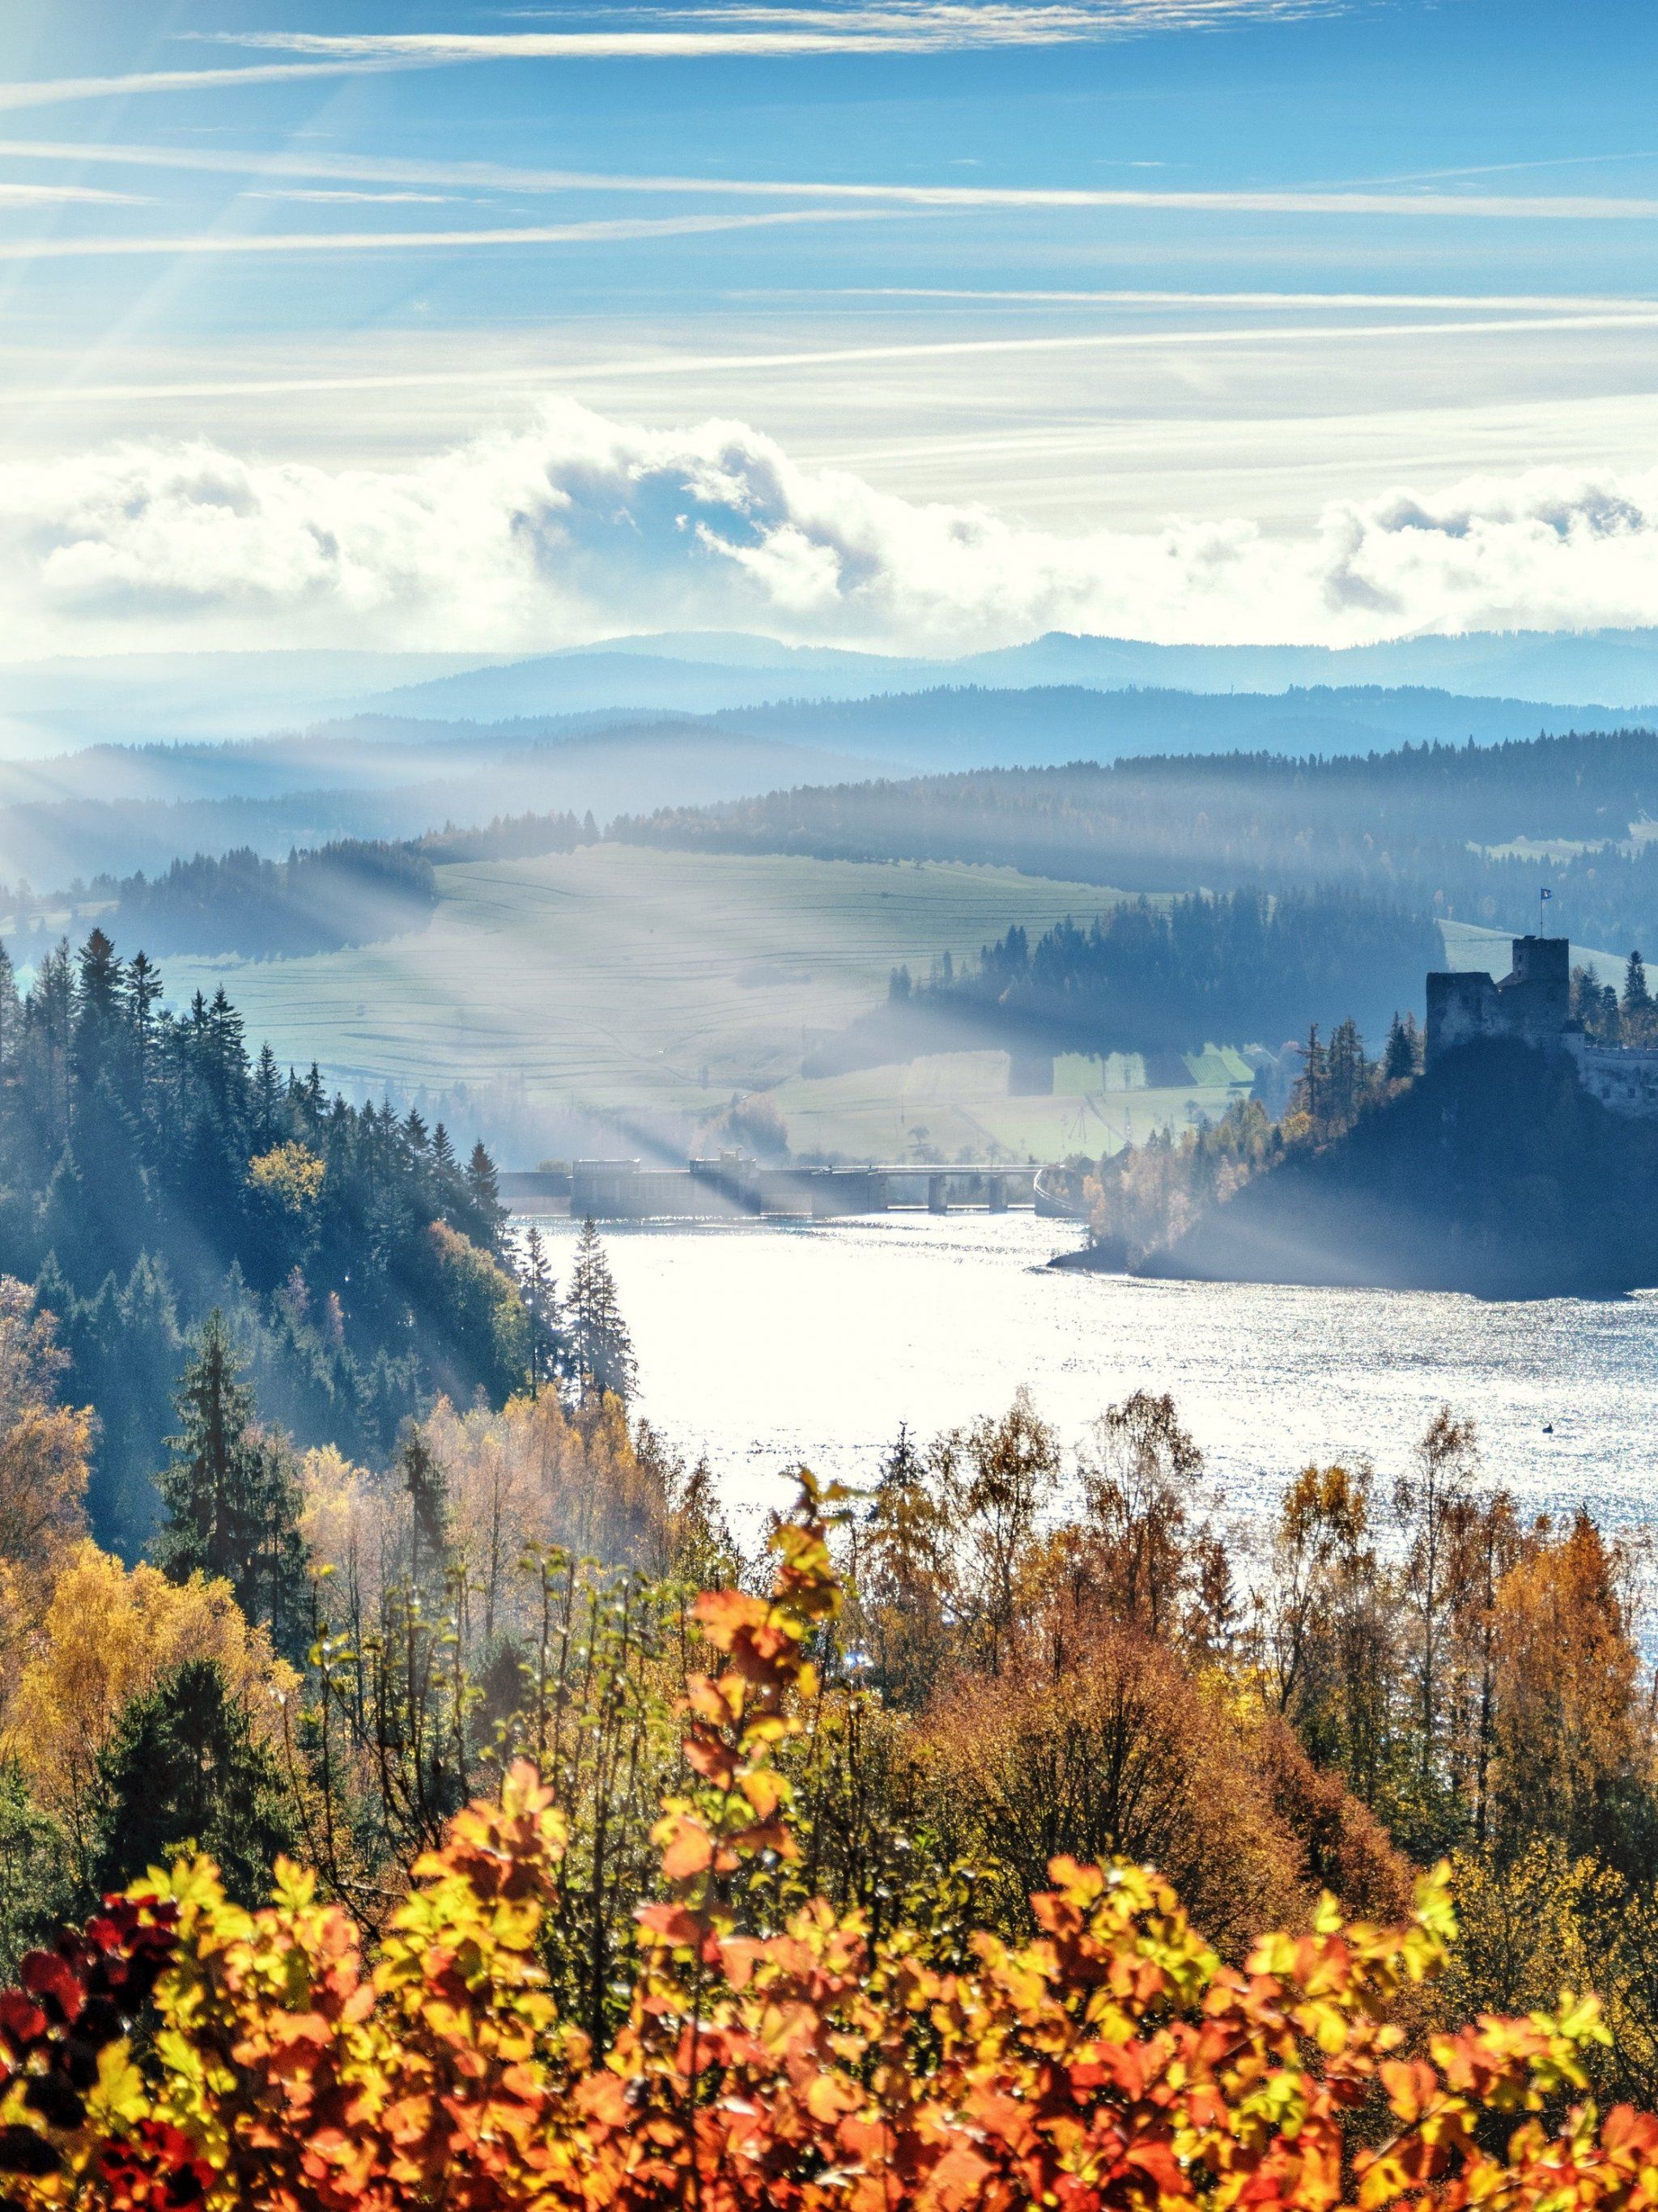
<point x="625" y="979"/>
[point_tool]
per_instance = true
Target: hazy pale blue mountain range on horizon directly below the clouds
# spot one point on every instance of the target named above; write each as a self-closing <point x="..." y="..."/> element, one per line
<point x="54" y="707"/>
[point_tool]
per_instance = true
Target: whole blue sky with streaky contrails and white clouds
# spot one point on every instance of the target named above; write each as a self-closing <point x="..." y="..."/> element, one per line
<point x="916" y="322"/>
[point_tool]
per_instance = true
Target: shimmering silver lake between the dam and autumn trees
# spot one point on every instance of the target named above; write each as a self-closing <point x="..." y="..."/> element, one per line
<point x="775" y="1344"/>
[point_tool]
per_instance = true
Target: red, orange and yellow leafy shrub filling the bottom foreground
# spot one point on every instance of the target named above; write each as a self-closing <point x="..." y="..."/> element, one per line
<point x="770" y="2058"/>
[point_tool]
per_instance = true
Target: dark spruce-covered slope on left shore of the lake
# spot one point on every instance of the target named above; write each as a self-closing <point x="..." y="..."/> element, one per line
<point x="151" y="1171"/>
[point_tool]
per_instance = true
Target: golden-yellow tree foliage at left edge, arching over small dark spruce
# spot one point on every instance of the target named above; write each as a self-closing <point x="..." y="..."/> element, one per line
<point x="112" y="1634"/>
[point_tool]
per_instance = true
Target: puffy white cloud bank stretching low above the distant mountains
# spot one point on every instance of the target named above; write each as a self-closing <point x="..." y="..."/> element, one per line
<point x="580" y="528"/>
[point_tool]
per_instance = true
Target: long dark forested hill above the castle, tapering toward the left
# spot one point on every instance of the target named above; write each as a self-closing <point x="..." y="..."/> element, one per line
<point x="1416" y="826"/>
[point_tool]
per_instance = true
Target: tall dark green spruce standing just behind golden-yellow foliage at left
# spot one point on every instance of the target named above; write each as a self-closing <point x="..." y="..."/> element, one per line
<point x="231" y="1496"/>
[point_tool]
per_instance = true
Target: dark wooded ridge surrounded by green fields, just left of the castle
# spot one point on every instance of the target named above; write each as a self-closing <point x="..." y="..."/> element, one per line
<point x="1144" y="979"/>
